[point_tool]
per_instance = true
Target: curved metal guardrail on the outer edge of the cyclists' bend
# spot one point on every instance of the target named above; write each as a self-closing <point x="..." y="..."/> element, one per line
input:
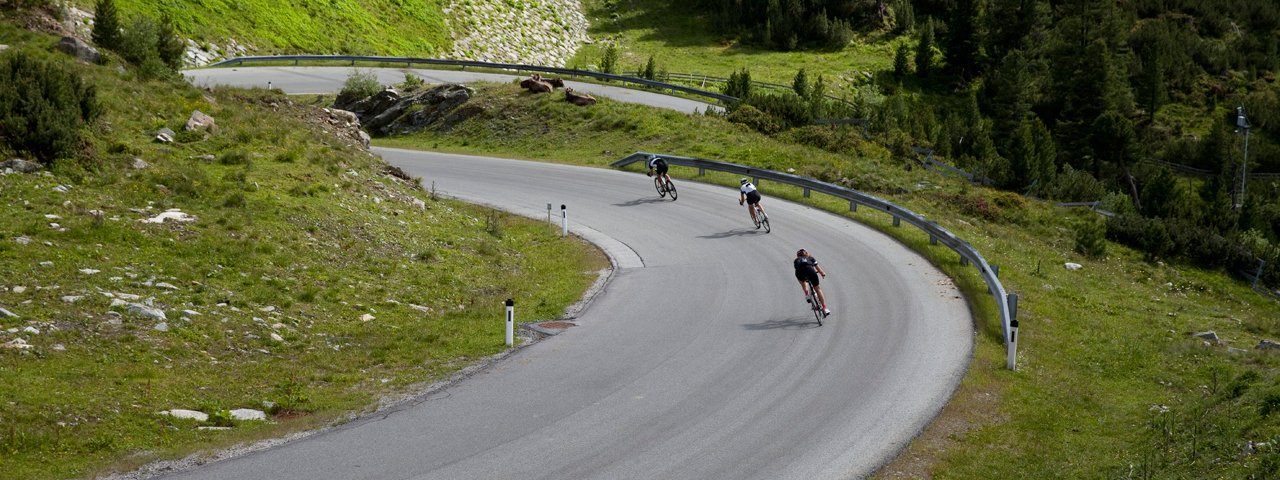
<point x="1005" y="303"/>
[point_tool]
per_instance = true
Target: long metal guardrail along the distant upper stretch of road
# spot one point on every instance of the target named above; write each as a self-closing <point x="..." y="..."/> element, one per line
<point x="410" y="62"/>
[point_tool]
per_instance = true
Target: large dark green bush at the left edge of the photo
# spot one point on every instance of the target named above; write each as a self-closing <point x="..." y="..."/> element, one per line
<point x="44" y="107"/>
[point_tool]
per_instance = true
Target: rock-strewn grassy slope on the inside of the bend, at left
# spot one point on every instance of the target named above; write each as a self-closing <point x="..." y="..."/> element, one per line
<point x="296" y="236"/>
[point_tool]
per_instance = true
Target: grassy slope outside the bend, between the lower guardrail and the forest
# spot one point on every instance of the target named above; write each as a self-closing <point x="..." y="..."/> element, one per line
<point x="1099" y="349"/>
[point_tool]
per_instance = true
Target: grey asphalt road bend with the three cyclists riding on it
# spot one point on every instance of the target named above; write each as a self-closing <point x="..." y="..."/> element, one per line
<point x="700" y="362"/>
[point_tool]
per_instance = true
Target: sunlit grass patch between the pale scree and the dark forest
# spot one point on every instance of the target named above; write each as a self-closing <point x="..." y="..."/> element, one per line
<point x="687" y="43"/>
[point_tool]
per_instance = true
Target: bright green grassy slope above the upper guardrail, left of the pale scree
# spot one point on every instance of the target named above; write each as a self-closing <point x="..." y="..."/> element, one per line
<point x="363" y="28"/>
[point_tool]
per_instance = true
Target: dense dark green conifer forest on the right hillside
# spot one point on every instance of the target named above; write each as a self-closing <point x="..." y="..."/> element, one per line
<point x="1150" y="107"/>
